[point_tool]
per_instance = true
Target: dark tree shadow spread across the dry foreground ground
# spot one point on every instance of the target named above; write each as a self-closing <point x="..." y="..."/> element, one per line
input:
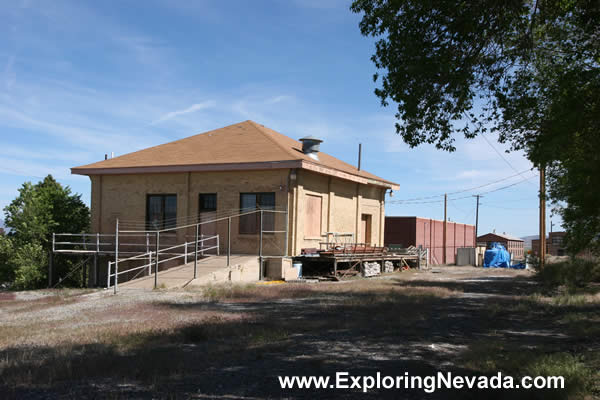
<point x="362" y="333"/>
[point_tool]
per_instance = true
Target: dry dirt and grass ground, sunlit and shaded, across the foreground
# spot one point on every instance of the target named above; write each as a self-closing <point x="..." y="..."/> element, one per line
<point x="228" y="341"/>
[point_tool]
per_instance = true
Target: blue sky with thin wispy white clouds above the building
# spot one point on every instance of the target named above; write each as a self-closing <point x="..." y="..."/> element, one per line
<point x="81" y="79"/>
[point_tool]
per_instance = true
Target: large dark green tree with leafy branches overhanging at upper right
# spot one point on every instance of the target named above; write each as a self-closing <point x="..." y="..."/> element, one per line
<point x="528" y="71"/>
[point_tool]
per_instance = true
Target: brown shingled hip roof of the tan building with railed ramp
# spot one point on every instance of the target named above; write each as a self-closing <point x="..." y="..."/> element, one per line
<point x="243" y="143"/>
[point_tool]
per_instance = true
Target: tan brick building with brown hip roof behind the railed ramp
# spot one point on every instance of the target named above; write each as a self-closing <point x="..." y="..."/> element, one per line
<point x="235" y="168"/>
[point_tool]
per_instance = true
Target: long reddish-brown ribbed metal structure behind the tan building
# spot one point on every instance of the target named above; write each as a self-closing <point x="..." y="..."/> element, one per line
<point x="429" y="233"/>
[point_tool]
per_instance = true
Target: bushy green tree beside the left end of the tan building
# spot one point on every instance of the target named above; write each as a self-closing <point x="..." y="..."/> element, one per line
<point x="33" y="216"/>
